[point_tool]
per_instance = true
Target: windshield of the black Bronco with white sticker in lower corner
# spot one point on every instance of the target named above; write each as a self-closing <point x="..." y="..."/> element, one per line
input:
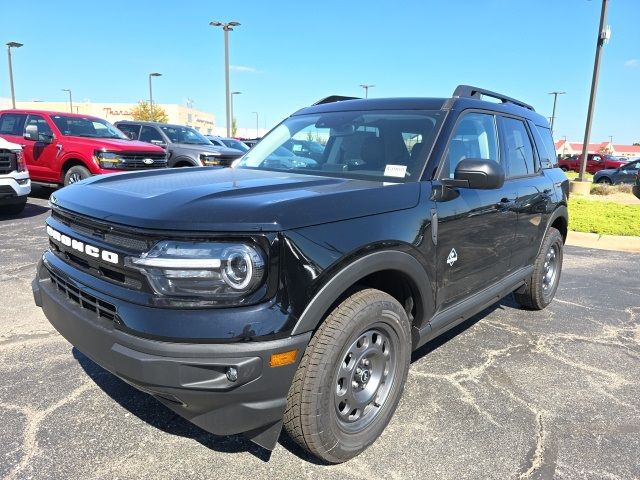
<point x="378" y="144"/>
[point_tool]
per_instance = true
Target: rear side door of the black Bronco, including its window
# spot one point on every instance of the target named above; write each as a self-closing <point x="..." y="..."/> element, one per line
<point x="533" y="189"/>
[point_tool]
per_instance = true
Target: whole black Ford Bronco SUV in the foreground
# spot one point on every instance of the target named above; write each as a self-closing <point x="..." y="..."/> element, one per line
<point x="258" y="296"/>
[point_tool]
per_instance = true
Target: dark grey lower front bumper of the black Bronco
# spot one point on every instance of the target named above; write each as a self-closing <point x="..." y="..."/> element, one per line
<point x="189" y="378"/>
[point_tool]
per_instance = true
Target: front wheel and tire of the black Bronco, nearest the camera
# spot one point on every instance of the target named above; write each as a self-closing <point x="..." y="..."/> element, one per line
<point x="341" y="400"/>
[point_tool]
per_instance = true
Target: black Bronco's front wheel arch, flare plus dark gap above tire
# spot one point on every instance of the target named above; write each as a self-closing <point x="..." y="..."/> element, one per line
<point x="394" y="272"/>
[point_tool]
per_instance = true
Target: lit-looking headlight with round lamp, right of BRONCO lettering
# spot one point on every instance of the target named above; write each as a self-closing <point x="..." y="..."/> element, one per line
<point x="202" y="270"/>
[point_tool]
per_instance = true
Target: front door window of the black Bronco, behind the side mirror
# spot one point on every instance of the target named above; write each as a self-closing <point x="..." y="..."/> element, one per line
<point x="474" y="137"/>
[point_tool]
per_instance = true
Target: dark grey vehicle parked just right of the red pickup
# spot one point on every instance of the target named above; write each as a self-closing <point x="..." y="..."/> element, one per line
<point x="186" y="147"/>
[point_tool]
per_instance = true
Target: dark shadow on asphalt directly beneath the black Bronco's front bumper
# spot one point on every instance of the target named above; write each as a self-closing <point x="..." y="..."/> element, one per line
<point x="151" y="411"/>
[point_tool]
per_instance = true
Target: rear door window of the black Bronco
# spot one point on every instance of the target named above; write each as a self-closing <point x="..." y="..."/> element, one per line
<point x="517" y="146"/>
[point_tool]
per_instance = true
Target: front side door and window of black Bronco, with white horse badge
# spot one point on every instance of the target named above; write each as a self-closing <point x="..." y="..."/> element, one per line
<point x="476" y="227"/>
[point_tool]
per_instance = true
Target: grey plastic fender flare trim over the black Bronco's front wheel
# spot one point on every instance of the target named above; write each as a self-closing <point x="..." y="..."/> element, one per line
<point x="403" y="262"/>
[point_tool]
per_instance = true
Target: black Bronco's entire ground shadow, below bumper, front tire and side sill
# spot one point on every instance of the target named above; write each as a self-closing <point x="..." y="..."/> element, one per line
<point x="148" y="409"/>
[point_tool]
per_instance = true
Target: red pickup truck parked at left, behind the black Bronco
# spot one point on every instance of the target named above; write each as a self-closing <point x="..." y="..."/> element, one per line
<point x="64" y="148"/>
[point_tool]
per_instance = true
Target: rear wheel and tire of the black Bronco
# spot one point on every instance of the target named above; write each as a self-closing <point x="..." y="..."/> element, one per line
<point x="541" y="287"/>
